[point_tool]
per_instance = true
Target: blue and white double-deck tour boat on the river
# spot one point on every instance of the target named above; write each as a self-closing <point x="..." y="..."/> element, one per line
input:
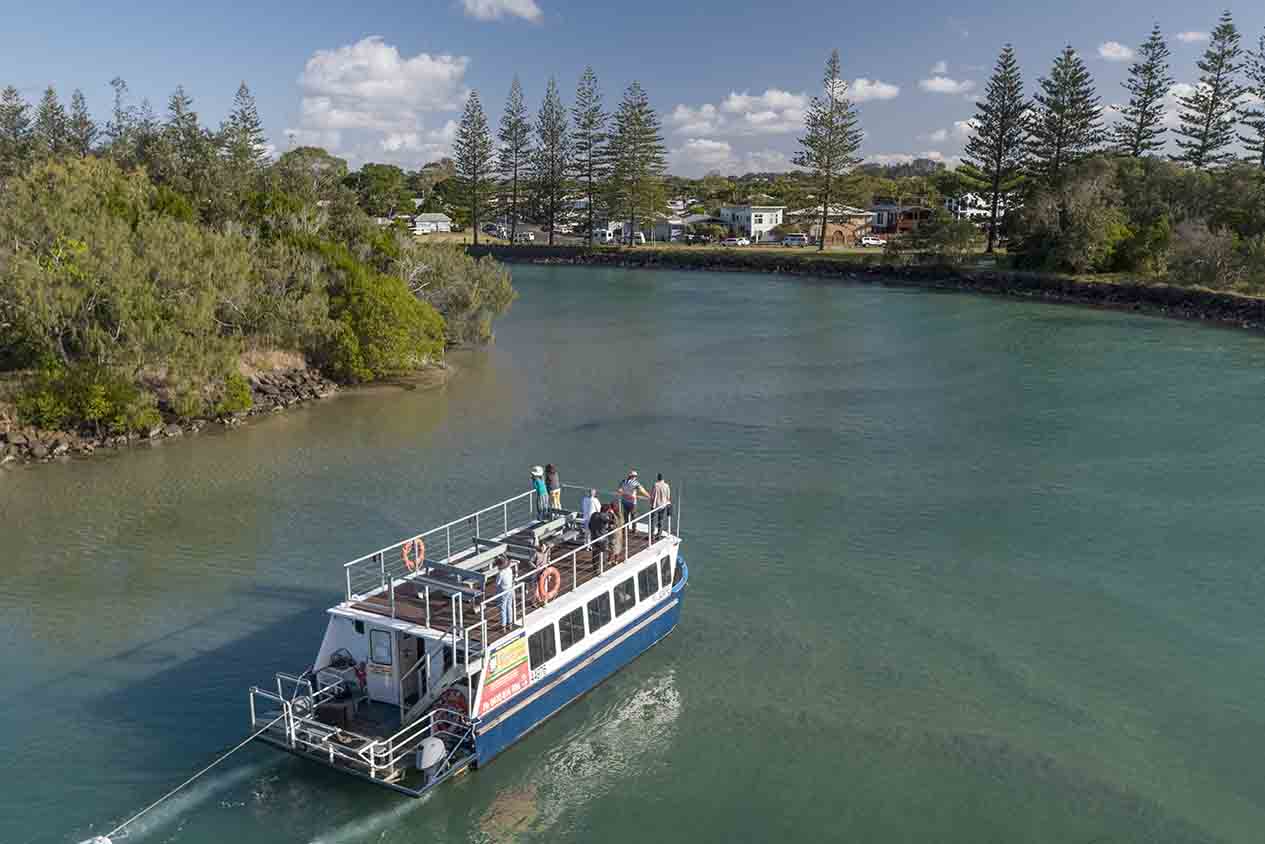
<point x="419" y="679"/>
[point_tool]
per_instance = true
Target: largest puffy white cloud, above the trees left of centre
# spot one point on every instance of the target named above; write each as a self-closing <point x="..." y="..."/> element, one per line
<point x="371" y="98"/>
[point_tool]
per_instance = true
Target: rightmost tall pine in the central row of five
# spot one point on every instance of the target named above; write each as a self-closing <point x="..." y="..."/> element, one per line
<point x="638" y="159"/>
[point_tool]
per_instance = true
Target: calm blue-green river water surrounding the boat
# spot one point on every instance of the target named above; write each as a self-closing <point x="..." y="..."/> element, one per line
<point x="963" y="570"/>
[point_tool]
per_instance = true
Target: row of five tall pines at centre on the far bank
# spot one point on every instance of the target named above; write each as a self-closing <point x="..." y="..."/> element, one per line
<point x="534" y="170"/>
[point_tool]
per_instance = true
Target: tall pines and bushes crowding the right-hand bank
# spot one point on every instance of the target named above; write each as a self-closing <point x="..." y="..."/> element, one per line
<point x="1092" y="198"/>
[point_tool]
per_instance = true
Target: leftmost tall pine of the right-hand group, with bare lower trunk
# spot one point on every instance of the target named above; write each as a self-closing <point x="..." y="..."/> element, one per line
<point x="996" y="152"/>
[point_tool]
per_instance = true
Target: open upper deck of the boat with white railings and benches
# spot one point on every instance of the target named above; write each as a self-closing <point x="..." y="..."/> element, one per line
<point x="445" y="580"/>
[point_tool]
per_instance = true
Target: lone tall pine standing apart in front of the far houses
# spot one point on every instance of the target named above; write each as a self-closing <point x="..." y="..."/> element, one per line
<point x="832" y="140"/>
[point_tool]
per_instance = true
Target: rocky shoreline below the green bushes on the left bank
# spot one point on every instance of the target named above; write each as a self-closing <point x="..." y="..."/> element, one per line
<point x="270" y="393"/>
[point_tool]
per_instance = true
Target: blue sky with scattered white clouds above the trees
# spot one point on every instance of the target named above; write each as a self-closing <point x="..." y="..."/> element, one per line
<point x="385" y="82"/>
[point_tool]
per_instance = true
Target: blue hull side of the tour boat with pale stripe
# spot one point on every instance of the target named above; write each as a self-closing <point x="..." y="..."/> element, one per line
<point x="505" y="726"/>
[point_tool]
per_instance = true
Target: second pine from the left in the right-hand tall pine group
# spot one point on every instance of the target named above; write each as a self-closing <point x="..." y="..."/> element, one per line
<point x="1067" y="121"/>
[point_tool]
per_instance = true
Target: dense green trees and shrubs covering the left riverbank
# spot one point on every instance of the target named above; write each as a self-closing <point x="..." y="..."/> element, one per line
<point x="141" y="258"/>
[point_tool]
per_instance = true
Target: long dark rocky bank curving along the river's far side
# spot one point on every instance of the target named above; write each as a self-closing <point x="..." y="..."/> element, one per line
<point x="1123" y="294"/>
